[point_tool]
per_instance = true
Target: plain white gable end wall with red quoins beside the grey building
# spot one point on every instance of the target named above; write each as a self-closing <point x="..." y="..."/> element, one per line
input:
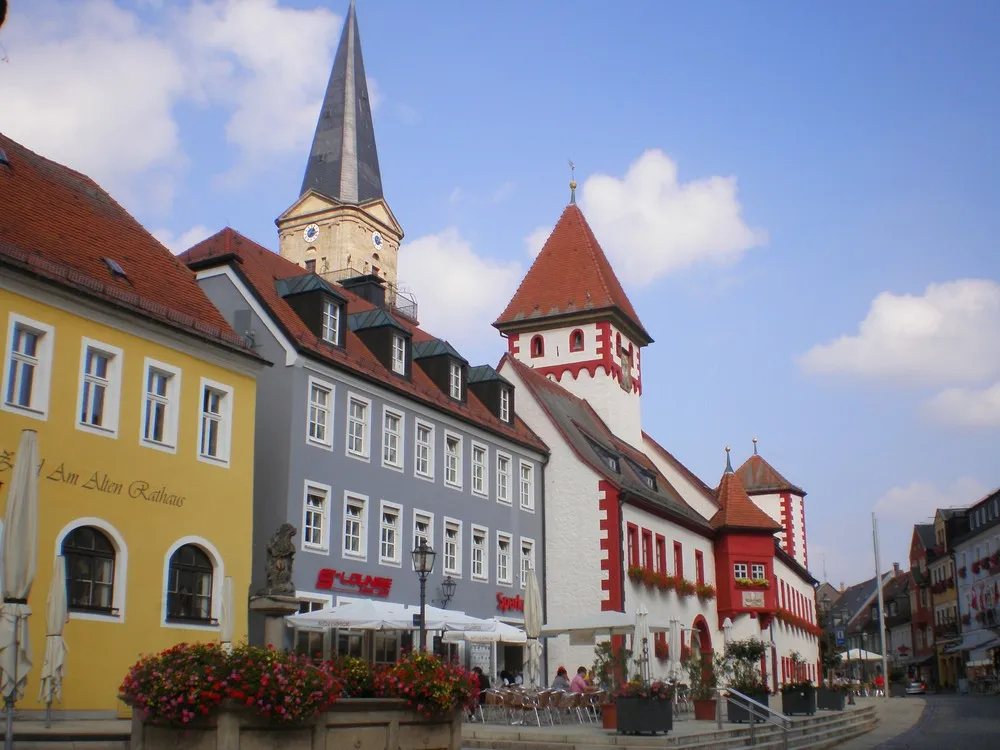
<point x="573" y="556"/>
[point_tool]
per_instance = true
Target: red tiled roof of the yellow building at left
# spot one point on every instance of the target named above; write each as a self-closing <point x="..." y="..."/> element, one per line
<point x="59" y="224"/>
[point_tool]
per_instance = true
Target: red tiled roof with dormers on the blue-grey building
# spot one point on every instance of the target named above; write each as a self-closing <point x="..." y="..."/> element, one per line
<point x="260" y="268"/>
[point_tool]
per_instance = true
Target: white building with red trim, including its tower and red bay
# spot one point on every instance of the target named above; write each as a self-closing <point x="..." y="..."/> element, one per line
<point x="625" y="522"/>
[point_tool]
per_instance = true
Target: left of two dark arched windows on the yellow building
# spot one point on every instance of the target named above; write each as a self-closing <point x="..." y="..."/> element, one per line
<point x="90" y="570"/>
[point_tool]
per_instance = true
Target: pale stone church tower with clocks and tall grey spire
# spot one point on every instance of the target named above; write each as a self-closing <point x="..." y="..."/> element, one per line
<point x="341" y="225"/>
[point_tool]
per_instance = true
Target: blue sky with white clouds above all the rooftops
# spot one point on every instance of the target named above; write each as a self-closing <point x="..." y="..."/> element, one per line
<point x="799" y="198"/>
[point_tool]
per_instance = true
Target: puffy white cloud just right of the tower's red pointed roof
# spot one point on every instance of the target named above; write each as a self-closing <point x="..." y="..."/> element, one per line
<point x="651" y="224"/>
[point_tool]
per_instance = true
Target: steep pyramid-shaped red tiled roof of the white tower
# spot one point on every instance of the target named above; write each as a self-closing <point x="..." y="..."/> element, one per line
<point x="570" y="275"/>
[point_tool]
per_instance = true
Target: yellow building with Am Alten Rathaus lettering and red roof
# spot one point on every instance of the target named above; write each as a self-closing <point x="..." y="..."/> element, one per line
<point x="143" y="400"/>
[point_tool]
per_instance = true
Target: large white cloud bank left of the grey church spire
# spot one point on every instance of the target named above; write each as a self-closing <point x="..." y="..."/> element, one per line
<point x="97" y="86"/>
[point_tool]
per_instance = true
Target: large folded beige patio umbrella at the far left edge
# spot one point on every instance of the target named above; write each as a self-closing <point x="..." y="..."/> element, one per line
<point x="19" y="563"/>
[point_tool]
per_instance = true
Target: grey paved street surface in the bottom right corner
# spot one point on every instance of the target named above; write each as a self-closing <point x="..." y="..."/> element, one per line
<point x="947" y="721"/>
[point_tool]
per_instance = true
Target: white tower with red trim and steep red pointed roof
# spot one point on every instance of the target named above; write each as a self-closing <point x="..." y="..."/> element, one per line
<point x="571" y="320"/>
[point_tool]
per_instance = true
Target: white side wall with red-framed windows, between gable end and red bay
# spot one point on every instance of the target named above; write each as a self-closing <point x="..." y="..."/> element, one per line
<point x="663" y="606"/>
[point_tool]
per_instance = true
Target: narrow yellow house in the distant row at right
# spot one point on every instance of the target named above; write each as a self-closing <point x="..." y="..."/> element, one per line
<point x="948" y="524"/>
